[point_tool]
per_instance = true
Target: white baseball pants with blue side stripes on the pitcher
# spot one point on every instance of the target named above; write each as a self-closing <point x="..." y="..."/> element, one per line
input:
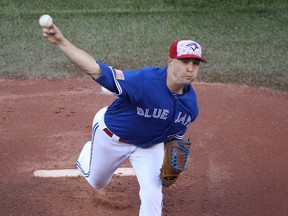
<point x="101" y="156"/>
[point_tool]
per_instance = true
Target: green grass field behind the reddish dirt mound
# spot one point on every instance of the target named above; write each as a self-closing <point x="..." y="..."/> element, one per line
<point x="244" y="41"/>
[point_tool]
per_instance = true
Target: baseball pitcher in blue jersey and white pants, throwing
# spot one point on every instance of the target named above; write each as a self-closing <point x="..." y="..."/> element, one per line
<point x="145" y="124"/>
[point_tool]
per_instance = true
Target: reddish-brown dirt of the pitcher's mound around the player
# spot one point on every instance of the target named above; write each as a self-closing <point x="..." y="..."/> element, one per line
<point x="238" y="166"/>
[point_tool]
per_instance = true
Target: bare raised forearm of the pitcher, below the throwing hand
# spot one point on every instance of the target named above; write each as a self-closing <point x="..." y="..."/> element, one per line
<point x="80" y="58"/>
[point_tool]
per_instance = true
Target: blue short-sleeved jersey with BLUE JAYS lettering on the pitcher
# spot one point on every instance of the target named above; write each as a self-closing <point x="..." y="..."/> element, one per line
<point x="146" y="112"/>
